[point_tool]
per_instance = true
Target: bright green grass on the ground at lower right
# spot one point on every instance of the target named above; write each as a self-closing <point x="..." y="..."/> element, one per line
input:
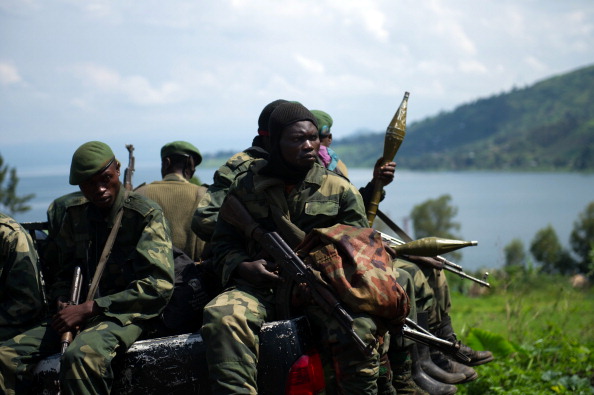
<point x="540" y="329"/>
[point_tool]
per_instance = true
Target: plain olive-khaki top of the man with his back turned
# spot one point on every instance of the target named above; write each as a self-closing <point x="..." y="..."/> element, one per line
<point x="179" y="199"/>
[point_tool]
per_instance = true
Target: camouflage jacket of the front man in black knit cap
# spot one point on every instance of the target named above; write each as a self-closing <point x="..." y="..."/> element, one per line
<point x="321" y="200"/>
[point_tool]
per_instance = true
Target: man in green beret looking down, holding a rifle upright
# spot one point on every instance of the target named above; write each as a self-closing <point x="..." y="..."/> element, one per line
<point x="135" y="286"/>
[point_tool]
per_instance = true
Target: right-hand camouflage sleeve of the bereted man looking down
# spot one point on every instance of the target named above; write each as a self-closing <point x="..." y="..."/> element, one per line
<point x="147" y="296"/>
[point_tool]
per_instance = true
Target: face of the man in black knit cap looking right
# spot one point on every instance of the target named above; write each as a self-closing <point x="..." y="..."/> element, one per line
<point x="299" y="144"/>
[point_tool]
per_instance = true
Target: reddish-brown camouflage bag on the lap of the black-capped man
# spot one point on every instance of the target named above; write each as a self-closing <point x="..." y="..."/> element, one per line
<point x="354" y="262"/>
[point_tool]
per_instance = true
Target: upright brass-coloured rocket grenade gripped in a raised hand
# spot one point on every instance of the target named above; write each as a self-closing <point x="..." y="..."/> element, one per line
<point x="394" y="136"/>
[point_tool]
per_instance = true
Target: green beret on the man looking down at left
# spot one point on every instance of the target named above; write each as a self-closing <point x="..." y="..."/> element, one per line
<point x="89" y="159"/>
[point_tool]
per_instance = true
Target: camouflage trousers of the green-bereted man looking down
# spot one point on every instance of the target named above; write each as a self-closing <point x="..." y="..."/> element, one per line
<point x="85" y="366"/>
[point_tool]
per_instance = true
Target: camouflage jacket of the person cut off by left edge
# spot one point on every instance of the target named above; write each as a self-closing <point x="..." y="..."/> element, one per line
<point x="22" y="299"/>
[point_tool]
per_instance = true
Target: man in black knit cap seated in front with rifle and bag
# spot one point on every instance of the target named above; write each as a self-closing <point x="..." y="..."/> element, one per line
<point x="290" y="185"/>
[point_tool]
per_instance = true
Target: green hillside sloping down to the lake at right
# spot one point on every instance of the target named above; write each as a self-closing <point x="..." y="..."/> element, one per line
<point x="547" y="126"/>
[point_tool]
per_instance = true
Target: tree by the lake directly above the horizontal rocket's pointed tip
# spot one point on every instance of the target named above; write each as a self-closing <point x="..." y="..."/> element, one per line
<point x="434" y="217"/>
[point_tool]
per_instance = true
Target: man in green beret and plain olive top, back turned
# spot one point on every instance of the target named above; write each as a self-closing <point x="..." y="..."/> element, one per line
<point x="177" y="196"/>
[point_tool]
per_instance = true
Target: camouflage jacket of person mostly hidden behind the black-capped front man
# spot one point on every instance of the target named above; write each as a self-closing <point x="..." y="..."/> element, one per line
<point x="205" y="217"/>
